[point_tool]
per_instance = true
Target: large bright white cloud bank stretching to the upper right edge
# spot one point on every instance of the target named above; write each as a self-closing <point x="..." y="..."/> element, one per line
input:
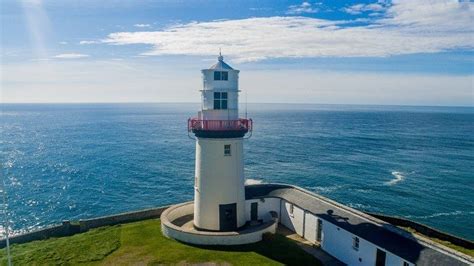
<point x="405" y="28"/>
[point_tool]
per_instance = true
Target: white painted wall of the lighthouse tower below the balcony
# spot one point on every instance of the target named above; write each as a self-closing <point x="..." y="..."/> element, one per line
<point x="219" y="180"/>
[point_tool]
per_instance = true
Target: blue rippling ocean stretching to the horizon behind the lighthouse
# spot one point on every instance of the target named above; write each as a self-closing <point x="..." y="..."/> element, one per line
<point x="73" y="161"/>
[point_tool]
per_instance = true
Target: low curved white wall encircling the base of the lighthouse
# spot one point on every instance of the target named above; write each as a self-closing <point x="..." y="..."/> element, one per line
<point x="192" y="236"/>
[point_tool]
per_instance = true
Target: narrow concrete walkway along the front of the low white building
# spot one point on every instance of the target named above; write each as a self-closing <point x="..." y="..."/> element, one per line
<point x="321" y="255"/>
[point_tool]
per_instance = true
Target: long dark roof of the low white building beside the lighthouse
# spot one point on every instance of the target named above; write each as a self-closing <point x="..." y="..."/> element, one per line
<point x="379" y="233"/>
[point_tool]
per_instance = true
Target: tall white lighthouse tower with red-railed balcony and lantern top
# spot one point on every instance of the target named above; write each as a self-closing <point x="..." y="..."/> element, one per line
<point x="219" y="192"/>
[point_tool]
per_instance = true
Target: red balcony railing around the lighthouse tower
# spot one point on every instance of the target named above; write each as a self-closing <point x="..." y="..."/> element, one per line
<point x="220" y="125"/>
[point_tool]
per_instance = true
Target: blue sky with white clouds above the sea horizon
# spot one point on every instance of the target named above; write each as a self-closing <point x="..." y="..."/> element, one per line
<point x="400" y="52"/>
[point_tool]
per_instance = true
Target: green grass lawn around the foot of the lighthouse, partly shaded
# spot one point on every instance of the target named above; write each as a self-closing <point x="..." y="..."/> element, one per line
<point x="142" y="243"/>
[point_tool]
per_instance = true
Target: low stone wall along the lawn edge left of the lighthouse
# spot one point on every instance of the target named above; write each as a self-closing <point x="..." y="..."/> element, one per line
<point x="68" y="228"/>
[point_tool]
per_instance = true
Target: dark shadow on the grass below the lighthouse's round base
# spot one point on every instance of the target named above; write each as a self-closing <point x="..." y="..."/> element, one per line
<point x="275" y="247"/>
